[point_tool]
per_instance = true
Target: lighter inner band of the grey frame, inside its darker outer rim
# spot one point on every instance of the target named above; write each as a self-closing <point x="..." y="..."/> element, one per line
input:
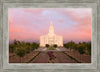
<point x="7" y="65"/>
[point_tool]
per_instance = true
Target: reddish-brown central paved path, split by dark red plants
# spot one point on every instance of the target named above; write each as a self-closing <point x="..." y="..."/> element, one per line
<point x="60" y="58"/>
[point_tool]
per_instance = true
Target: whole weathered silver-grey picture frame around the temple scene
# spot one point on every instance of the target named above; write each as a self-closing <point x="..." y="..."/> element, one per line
<point x="47" y="67"/>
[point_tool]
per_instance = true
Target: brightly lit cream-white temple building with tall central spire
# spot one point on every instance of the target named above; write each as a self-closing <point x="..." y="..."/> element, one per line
<point x="51" y="38"/>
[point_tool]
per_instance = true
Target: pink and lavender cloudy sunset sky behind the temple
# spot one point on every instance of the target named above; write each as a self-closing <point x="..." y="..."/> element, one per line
<point x="29" y="24"/>
